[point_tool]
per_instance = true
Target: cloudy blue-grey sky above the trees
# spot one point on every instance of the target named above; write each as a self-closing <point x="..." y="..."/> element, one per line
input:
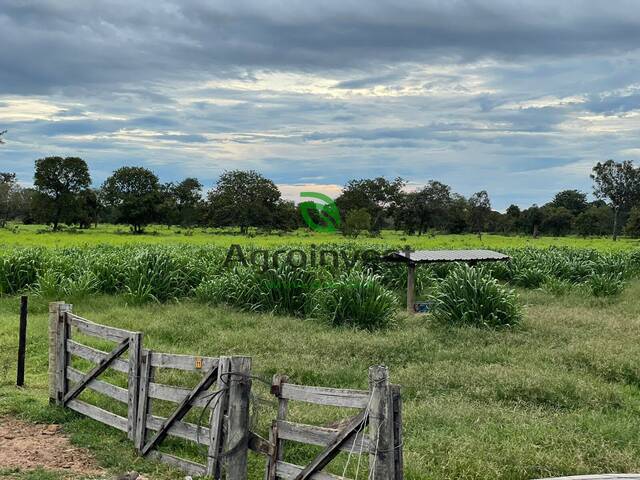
<point x="519" y="98"/>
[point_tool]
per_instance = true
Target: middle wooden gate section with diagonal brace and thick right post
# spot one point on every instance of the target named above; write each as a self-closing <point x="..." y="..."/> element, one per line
<point x="222" y="417"/>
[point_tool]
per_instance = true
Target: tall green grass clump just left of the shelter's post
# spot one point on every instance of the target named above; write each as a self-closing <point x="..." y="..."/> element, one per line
<point x="357" y="299"/>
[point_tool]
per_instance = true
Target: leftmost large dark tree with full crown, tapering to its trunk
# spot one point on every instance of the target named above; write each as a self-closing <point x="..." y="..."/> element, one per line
<point x="59" y="181"/>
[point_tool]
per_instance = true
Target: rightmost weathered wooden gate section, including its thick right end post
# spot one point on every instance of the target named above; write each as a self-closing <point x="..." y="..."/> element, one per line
<point x="380" y="410"/>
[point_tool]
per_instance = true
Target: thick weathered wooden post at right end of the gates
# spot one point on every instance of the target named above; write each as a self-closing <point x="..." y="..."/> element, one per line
<point x="381" y="457"/>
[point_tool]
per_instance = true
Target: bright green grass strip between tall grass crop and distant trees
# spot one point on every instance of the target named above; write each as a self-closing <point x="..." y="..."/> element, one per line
<point x="39" y="235"/>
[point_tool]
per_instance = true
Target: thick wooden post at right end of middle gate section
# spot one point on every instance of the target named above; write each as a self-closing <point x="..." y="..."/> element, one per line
<point x="237" y="440"/>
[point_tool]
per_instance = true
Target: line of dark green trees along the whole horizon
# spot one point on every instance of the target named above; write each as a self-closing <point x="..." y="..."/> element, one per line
<point x="62" y="194"/>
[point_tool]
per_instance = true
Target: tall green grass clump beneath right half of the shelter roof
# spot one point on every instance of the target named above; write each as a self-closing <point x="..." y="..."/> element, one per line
<point x="470" y="296"/>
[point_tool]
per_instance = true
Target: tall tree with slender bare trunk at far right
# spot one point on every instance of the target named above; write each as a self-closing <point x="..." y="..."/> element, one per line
<point x="619" y="183"/>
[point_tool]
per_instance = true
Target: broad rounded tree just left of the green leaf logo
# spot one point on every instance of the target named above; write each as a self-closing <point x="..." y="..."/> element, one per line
<point x="243" y="199"/>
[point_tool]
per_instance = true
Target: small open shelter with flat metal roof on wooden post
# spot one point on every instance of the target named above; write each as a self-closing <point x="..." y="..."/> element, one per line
<point x="413" y="258"/>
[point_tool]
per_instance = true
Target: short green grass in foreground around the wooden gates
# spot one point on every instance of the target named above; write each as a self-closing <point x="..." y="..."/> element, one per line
<point x="556" y="395"/>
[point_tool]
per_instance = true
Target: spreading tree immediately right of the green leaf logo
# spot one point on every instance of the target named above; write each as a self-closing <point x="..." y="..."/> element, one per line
<point x="378" y="196"/>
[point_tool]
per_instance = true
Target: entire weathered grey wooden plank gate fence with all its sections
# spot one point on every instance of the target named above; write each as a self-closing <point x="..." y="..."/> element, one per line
<point x="222" y="395"/>
